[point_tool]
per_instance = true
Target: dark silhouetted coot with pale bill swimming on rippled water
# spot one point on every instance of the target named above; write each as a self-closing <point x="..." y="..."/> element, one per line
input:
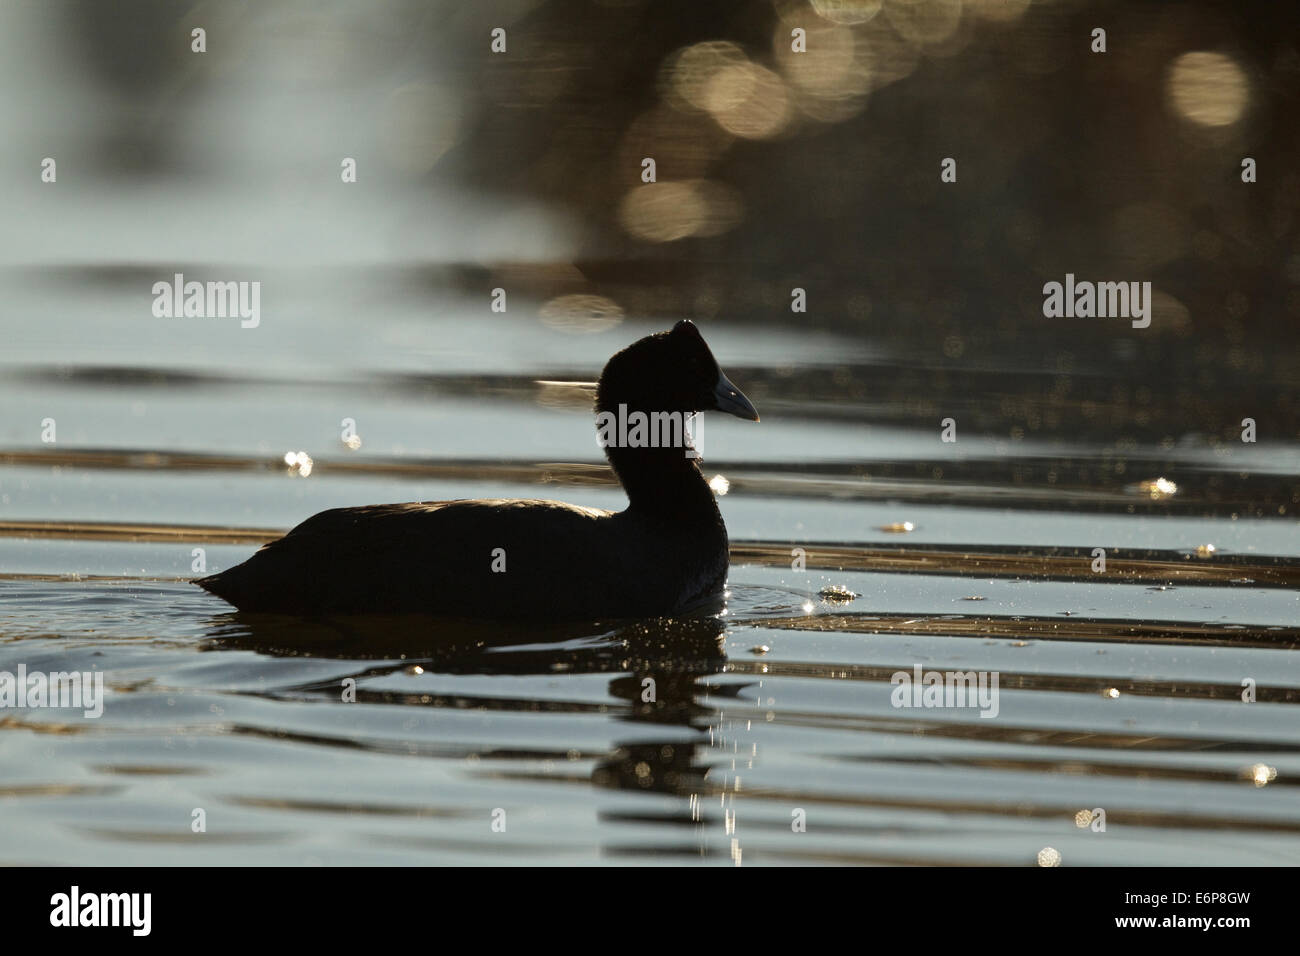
<point x="665" y="555"/>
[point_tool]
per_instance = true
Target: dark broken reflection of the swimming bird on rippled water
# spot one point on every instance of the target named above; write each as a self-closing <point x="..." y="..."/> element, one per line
<point x="660" y="672"/>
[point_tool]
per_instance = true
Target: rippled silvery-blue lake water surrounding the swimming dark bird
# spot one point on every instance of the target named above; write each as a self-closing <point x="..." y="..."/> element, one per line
<point x="1120" y="737"/>
